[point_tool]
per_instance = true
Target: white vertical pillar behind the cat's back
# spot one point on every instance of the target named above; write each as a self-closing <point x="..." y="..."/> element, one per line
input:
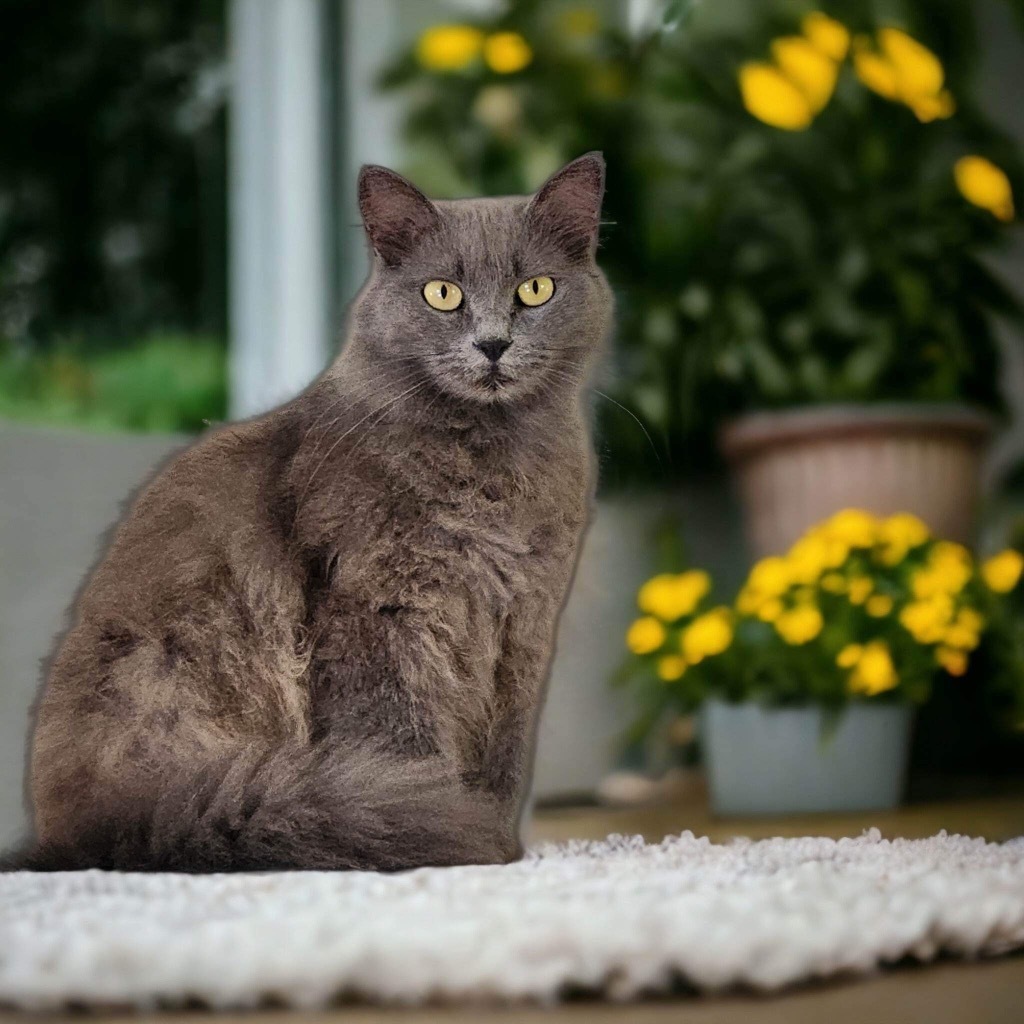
<point x="280" y="224"/>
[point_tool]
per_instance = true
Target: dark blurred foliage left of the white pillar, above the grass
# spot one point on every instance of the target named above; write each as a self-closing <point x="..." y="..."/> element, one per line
<point x="112" y="168"/>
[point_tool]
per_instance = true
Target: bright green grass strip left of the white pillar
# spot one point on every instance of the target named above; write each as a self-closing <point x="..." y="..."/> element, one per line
<point x="165" y="383"/>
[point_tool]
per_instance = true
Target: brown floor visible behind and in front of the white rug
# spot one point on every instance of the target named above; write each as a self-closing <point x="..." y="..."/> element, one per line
<point x="990" y="993"/>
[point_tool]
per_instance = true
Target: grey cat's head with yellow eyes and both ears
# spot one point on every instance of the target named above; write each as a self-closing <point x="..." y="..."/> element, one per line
<point x="491" y="301"/>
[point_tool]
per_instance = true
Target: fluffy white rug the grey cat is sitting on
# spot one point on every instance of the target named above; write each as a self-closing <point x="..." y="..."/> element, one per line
<point x="616" y="918"/>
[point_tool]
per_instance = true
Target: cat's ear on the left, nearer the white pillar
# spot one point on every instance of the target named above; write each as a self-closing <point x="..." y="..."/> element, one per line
<point x="396" y="214"/>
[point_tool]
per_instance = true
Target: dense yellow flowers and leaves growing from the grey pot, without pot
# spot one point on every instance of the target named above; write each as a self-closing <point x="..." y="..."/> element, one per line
<point x="861" y="609"/>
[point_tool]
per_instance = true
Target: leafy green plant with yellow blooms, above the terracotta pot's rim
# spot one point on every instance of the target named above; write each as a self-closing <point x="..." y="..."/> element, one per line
<point x="813" y="210"/>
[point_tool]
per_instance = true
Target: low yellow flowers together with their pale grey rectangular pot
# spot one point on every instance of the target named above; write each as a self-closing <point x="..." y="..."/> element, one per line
<point x="809" y="679"/>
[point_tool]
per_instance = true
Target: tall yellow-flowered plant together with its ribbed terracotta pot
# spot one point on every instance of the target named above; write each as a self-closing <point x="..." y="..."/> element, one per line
<point x="837" y="189"/>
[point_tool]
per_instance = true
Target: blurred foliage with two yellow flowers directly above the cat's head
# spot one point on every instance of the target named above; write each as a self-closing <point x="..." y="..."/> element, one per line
<point x="500" y="102"/>
